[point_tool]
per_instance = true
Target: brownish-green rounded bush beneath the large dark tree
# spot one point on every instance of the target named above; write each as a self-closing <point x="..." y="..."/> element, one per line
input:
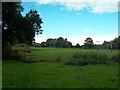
<point x="22" y="52"/>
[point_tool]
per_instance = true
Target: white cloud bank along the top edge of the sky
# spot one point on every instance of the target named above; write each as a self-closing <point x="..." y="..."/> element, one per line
<point x="95" y="6"/>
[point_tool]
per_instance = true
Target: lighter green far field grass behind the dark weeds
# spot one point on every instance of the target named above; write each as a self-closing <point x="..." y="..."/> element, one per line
<point x="65" y="54"/>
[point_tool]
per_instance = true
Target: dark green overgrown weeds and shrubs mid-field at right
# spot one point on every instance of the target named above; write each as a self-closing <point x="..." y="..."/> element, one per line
<point x="85" y="58"/>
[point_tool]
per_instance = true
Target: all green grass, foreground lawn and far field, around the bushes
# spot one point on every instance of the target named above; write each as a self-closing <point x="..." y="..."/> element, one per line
<point x="52" y="74"/>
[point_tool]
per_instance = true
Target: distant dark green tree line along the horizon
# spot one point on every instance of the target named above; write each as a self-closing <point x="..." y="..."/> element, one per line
<point x="88" y="44"/>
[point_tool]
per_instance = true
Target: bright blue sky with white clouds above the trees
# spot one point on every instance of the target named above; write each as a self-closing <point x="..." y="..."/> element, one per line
<point x="76" y="20"/>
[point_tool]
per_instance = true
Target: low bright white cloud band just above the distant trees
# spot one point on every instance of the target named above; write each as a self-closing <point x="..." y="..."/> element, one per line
<point x="80" y="39"/>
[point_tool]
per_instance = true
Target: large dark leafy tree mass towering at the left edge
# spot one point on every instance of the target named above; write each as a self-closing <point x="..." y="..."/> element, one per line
<point x="16" y="28"/>
